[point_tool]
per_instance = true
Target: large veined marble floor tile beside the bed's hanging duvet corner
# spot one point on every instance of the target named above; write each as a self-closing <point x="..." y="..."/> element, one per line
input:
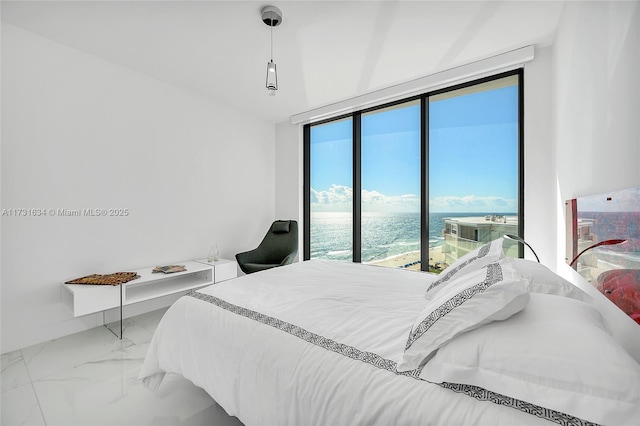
<point x="109" y="394"/>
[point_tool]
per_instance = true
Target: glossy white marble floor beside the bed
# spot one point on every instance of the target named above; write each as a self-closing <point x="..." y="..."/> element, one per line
<point x="90" y="378"/>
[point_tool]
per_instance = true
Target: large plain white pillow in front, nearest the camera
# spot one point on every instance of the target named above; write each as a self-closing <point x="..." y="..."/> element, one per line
<point x="556" y="354"/>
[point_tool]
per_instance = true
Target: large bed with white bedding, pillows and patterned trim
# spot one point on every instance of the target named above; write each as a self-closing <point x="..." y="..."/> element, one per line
<point x="492" y="340"/>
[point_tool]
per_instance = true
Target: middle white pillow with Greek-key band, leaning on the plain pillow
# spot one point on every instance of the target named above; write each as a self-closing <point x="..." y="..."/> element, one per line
<point x="492" y="293"/>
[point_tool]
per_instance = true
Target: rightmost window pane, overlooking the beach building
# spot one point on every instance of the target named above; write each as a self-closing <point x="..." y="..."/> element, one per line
<point x="473" y="166"/>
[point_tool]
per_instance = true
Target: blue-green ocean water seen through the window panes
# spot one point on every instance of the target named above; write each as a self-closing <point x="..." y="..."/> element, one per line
<point x="383" y="234"/>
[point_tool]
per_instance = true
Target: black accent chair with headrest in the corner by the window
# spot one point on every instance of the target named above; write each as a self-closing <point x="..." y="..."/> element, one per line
<point x="279" y="247"/>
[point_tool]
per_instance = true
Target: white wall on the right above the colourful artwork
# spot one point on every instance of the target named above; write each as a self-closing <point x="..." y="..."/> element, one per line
<point x="596" y="68"/>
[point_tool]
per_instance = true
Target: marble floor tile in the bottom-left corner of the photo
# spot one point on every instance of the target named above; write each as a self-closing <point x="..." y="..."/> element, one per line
<point x="19" y="406"/>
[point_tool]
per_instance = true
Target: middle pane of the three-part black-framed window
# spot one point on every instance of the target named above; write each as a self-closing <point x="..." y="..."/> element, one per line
<point x="390" y="189"/>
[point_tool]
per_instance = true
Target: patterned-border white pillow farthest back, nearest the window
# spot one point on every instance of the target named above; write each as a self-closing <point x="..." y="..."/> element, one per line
<point x="476" y="259"/>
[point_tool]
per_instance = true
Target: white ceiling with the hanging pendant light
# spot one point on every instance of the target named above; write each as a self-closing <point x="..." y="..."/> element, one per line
<point x="325" y="50"/>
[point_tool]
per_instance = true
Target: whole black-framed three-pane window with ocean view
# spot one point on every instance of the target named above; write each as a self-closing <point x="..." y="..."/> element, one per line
<point x="417" y="183"/>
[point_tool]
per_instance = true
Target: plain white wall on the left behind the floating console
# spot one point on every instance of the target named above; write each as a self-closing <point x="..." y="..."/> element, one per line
<point x="79" y="132"/>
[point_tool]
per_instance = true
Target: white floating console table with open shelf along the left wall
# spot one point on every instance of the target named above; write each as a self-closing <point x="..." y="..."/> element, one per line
<point x="84" y="299"/>
